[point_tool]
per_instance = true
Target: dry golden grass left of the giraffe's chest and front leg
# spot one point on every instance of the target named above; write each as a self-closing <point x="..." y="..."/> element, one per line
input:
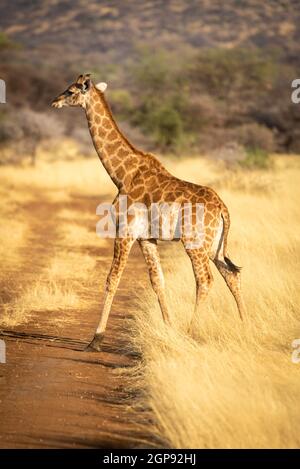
<point x="58" y="285"/>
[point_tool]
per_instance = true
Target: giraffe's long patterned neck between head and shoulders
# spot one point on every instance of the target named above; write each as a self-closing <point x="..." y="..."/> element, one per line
<point x="118" y="156"/>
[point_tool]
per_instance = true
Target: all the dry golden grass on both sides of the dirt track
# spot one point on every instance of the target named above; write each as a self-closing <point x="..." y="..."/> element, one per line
<point x="225" y="385"/>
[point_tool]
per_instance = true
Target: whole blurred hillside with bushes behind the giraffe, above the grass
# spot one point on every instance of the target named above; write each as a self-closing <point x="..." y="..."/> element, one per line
<point x="183" y="76"/>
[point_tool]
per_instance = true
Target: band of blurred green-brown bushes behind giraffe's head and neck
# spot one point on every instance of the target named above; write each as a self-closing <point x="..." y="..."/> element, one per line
<point x="205" y="101"/>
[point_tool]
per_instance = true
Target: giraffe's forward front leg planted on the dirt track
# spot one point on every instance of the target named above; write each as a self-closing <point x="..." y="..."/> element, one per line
<point x="121" y="252"/>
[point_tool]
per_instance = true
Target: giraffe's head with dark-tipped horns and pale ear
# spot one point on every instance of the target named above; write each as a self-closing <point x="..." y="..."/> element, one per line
<point x="78" y="93"/>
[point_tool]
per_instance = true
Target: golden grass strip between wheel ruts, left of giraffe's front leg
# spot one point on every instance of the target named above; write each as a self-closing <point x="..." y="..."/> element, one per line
<point x="58" y="290"/>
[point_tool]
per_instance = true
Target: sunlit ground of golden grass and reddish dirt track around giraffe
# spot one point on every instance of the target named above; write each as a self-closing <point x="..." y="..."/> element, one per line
<point x="222" y="384"/>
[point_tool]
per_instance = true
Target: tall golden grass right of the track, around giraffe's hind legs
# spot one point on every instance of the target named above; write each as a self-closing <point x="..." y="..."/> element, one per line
<point x="228" y="384"/>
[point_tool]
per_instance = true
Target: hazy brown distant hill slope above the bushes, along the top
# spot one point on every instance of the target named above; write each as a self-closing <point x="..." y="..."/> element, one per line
<point x="110" y="30"/>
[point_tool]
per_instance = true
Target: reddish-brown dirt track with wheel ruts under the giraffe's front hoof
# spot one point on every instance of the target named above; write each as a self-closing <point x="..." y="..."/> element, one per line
<point x="53" y="393"/>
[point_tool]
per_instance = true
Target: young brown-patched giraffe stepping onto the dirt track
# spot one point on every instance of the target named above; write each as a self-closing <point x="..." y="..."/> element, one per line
<point x="142" y="178"/>
